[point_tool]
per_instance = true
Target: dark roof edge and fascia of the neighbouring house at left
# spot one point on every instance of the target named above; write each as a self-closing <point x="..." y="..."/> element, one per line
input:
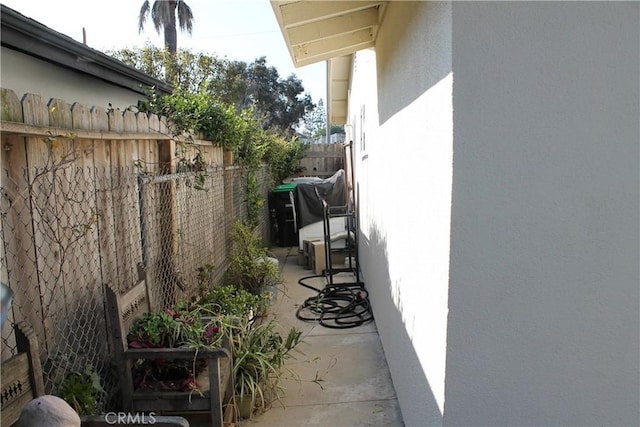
<point x="30" y="37"/>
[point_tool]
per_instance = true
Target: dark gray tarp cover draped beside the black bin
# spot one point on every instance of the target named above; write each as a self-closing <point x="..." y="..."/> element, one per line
<point x="309" y="198"/>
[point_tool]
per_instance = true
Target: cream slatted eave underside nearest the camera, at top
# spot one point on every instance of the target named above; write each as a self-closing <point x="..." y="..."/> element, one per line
<point x="318" y="30"/>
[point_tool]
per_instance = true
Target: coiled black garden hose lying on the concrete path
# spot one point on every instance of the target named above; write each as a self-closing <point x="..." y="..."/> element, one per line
<point x="338" y="306"/>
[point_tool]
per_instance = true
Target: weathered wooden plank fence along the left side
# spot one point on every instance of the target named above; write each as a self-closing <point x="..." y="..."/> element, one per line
<point x="90" y="198"/>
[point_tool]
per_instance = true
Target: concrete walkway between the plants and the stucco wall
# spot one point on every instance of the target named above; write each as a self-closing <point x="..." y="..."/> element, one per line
<point x="356" y="385"/>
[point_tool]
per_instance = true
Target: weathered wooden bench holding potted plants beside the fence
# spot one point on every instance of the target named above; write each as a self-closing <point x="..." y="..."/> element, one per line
<point x="217" y="386"/>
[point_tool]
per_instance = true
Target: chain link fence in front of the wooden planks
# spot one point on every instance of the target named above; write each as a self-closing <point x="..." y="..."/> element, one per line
<point x="67" y="232"/>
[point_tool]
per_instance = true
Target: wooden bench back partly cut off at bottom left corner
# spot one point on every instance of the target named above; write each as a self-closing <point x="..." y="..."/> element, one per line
<point x="21" y="375"/>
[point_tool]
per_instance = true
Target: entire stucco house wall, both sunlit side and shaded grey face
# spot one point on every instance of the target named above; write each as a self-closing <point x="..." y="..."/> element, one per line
<point x="499" y="191"/>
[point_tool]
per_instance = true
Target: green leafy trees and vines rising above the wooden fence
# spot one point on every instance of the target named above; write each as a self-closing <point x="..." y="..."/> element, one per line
<point x="246" y="108"/>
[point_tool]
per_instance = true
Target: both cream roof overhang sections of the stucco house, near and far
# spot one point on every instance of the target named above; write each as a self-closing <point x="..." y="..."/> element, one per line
<point x="329" y="30"/>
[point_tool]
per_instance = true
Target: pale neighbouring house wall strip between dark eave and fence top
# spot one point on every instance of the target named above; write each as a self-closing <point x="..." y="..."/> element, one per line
<point x="25" y="74"/>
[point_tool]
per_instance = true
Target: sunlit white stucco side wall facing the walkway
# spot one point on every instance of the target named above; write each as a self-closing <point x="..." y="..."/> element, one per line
<point x="404" y="174"/>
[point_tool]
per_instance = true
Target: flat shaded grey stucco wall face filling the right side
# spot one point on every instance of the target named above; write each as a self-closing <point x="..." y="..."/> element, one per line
<point x="544" y="316"/>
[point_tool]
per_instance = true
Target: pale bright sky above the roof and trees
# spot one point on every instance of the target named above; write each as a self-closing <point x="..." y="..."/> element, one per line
<point x="236" y="29"/>
